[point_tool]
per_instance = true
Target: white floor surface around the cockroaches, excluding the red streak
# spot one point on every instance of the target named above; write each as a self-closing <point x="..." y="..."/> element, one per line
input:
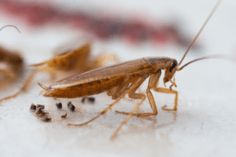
<point x="204" y="125"/>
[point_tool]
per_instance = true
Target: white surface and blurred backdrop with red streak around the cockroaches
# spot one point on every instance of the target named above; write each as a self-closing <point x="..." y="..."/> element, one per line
<point x="205" y="123"/>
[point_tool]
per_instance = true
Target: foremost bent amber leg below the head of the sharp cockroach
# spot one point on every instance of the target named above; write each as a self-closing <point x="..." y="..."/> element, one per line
<point x="169" y="91"/>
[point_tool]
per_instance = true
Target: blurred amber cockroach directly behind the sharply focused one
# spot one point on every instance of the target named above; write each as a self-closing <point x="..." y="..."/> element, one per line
<point x="71" y="61"/>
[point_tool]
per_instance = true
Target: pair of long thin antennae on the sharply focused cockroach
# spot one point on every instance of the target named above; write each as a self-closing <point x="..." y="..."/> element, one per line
<point x="195" y="39"/>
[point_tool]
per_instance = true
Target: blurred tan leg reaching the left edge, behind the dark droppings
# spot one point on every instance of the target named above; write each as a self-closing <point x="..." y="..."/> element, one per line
<point x="24" y="87"/>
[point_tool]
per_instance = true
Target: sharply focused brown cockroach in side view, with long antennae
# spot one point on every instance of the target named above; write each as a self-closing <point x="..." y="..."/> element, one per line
<point x="125" y="78"/>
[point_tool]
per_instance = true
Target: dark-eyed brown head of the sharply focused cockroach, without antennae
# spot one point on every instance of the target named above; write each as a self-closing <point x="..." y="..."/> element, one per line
<point x="171" y="68"/>
